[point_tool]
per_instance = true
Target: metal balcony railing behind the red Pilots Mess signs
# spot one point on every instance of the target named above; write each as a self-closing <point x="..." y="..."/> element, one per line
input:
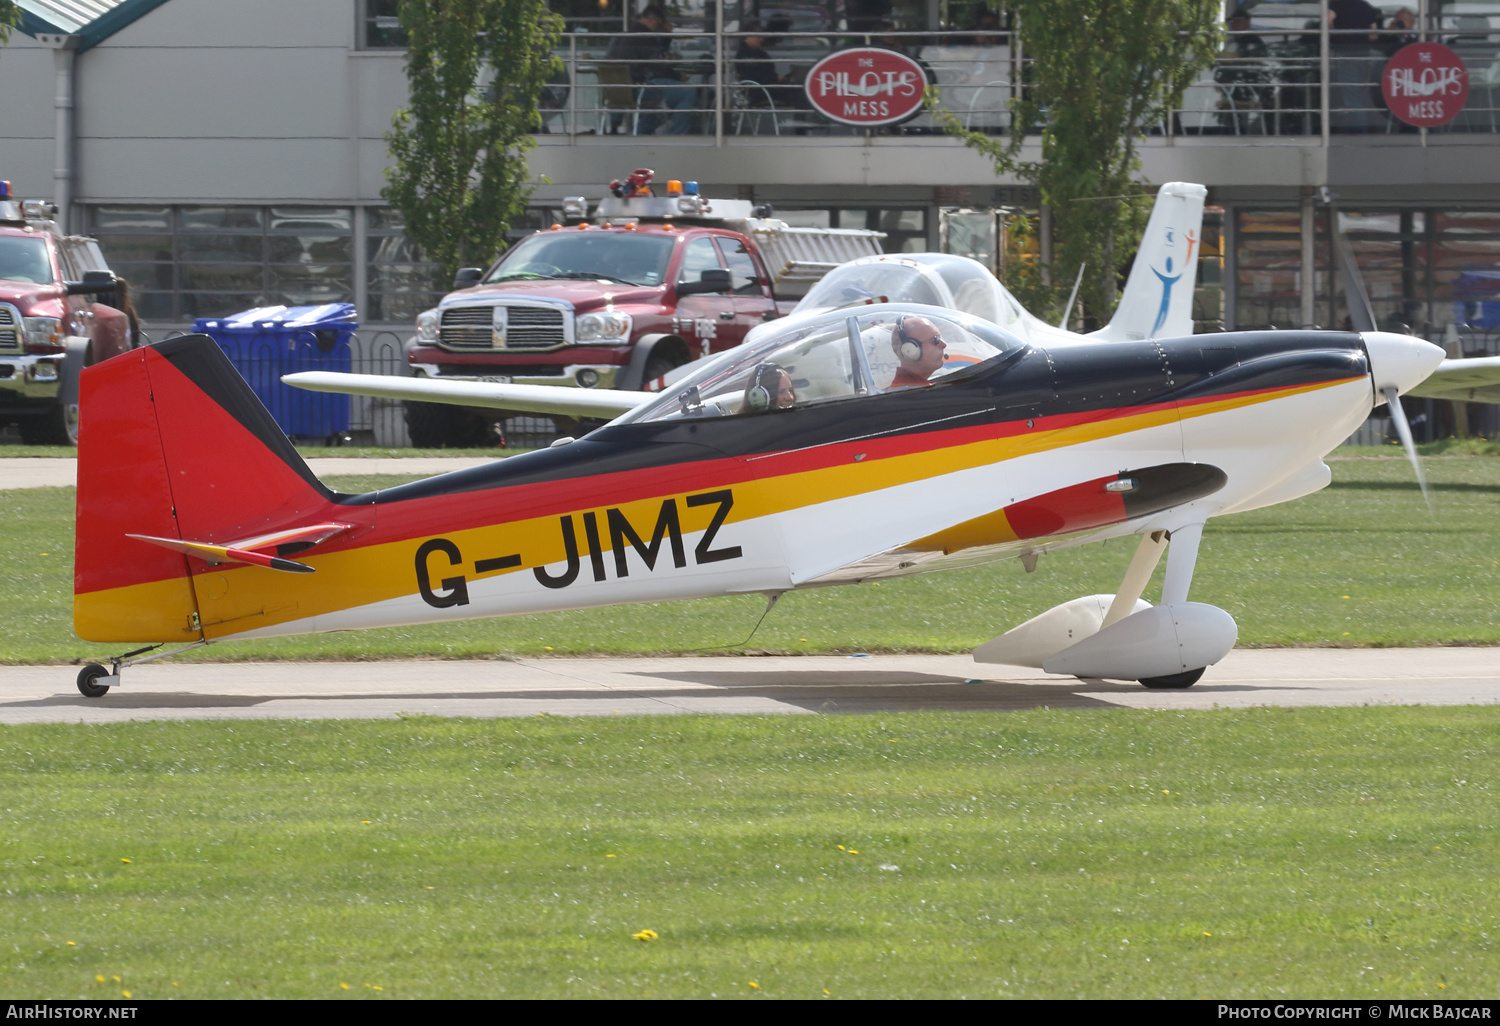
<point x="1264" y="85"/>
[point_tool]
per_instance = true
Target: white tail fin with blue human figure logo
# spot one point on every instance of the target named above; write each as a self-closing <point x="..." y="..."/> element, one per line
<point x="1159" y="296"/>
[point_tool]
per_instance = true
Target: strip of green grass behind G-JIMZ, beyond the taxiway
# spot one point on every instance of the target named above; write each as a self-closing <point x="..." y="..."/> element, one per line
<point x="1361" y="563"/>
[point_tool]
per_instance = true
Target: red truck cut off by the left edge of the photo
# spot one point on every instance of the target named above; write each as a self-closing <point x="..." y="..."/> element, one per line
<point x="58" y="316"/>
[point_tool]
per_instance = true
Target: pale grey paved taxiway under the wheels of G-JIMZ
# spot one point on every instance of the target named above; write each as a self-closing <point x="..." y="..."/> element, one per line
<point x="745" y="685"/>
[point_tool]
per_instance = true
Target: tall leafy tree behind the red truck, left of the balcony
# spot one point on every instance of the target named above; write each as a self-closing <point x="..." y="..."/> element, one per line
<point x="458" y="172"/>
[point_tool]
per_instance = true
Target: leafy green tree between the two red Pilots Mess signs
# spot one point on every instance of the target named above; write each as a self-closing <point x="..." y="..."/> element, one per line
<point x="1099" y="76"/>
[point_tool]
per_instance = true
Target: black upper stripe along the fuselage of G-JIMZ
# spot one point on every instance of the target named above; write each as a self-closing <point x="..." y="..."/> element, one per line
<point x="1040" y="383"/>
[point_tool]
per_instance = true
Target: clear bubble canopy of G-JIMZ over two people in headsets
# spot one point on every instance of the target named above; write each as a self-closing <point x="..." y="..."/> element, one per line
<point x="839" y="356"/>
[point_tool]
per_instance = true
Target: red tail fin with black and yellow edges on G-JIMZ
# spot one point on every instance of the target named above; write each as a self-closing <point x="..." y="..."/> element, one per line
<point x="178" y="460"/>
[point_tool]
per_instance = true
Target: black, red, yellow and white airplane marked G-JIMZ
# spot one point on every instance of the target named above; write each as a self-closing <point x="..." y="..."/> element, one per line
<point x="830" y="451"/>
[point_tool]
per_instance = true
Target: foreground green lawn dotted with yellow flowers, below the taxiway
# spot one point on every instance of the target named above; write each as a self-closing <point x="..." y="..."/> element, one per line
<point x="1040" y="854"/>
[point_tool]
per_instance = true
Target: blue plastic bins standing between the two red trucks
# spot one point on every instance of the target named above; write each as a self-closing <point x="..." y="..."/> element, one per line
<point x="271" y="341"/>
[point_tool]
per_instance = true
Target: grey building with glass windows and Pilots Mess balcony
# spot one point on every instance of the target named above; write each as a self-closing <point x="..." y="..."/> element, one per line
<point x="232" y="155"/>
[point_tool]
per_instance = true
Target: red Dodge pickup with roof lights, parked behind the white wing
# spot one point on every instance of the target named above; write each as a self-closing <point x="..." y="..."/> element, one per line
<point x="653" y="284"/>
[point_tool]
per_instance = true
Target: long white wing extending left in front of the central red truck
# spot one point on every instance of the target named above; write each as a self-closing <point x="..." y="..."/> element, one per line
<point x="548" y="400"/>
